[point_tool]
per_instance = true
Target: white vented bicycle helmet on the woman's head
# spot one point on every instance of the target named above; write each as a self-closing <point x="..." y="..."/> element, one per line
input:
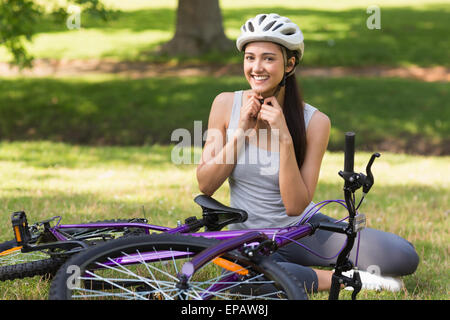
<point x="274" y="28"/>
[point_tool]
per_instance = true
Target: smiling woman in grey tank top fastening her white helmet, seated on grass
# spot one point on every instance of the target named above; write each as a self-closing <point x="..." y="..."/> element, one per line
<point x="272" y="119"/>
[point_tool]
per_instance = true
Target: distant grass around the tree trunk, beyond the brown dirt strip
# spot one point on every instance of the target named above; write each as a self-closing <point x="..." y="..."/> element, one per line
<point x="335" y="33"/>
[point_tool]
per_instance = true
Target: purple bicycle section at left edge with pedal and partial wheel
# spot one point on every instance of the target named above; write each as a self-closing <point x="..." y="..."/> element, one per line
<point x="40" y="249"/>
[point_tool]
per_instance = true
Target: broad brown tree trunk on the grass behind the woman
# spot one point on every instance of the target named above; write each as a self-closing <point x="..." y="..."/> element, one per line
<point x="198" y="29"/>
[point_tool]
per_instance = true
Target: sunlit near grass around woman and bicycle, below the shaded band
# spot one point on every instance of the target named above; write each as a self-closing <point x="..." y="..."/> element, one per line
<point x="409" y="198"/>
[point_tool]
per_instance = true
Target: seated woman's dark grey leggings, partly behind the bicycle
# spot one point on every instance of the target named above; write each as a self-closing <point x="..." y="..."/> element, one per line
<point x="379" y="252"/>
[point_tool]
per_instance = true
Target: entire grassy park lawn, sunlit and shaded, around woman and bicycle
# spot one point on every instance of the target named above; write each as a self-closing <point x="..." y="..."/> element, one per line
<point x="86" y="133"/>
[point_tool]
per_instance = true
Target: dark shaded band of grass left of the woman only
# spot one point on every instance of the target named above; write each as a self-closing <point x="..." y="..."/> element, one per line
<point x="110" y="112"/>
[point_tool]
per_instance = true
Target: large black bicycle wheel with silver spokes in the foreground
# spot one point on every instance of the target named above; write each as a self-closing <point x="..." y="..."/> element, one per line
<point x="264" y="273"/>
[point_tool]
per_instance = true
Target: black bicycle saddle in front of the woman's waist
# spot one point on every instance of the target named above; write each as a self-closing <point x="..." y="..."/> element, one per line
<point x="216" y="215"/>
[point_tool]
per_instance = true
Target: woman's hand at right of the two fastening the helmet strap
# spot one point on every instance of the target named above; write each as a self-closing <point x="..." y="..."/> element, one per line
<point x="273" y="115"/>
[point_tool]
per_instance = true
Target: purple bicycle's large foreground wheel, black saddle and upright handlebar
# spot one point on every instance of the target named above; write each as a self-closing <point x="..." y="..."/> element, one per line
<point x="181" y="263"/>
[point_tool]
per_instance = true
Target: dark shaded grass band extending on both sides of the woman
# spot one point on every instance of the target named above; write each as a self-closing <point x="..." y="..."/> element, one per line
<point x="394" y="114"/>
